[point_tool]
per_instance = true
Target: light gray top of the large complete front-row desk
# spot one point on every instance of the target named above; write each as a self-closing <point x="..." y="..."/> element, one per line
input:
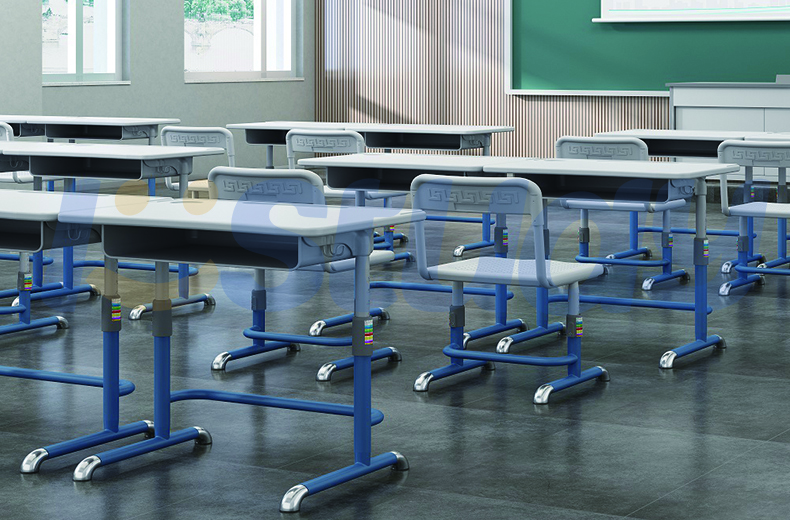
<point x="244" y="217"/>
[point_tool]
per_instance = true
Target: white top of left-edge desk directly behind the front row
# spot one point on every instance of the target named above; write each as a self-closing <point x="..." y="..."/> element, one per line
<point x="104" y="151"/>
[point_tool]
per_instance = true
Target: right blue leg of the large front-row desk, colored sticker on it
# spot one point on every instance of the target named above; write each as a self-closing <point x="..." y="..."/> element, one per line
<point x="364" y="464"/>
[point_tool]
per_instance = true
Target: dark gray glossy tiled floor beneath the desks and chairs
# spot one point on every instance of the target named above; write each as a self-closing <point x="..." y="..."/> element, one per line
<point x="708" y="440"/>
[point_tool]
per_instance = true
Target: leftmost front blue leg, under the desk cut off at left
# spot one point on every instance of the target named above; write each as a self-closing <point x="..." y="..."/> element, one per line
<point x="113" y="388"/>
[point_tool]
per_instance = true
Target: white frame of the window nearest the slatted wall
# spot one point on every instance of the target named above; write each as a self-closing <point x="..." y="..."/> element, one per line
<point x="297" y="58"/>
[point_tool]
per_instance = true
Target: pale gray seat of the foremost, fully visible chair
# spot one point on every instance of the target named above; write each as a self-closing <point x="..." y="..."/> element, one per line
<point x="510" y="271"/>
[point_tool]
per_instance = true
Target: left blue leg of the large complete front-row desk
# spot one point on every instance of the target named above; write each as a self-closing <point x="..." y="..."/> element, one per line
<point x="163" y="437"/>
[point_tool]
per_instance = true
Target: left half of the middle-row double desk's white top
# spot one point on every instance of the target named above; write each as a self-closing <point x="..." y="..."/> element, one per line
<point x="405" y="161"/>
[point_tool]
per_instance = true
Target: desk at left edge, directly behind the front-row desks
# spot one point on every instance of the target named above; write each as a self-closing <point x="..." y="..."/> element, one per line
<point x="107" y="162"/>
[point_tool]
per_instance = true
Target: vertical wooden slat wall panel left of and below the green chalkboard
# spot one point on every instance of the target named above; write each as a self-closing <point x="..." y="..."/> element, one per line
<point x="441" y="61"/>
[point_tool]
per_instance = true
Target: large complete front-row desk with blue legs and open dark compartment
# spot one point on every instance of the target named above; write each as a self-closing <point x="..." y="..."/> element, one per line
<point x="257" y="235"/>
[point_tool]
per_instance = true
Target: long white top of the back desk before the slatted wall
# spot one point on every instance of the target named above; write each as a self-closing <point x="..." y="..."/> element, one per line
<point x="374" y="127"/>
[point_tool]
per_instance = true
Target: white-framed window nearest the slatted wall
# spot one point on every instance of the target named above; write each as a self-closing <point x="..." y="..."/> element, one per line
<point x="242" y="40"/>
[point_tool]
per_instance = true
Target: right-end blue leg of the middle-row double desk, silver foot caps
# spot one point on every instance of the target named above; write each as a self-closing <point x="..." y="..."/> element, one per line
<point x="702" y="339"/>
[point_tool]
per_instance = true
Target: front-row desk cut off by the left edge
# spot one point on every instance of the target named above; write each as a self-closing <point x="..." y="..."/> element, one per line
<point x="29" y="223"/>
